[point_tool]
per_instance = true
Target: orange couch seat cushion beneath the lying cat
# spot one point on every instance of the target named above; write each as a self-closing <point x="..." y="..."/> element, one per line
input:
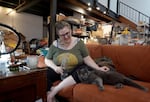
<point x="91" y="93"/>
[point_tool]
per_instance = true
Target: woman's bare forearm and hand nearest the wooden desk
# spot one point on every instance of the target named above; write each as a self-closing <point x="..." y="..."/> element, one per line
<point x="52" y="65"/>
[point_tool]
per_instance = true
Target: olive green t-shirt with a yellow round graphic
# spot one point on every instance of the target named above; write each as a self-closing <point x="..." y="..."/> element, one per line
<point x="71" y="58"/>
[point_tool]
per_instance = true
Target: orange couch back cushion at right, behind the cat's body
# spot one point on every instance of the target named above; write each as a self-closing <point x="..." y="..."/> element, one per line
<point x="130" y="60"/>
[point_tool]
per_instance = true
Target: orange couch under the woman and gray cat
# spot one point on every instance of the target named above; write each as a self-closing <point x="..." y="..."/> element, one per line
<point x="129" y="60"/>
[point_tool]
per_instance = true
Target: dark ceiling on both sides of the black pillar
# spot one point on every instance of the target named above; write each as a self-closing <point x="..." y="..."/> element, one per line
<point x="42" y="8"/>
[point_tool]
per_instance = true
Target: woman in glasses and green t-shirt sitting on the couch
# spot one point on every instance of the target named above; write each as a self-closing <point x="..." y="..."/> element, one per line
<point x="76" y="53"/>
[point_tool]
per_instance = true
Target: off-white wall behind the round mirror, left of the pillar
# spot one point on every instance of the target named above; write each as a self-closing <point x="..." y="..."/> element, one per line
<point x="28" y="24"/>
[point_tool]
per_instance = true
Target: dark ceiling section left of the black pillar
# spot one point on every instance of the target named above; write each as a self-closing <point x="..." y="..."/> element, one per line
<point x="37" y="7"/>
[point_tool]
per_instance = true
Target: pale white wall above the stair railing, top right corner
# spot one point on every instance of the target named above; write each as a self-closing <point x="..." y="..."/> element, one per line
<point x="140" y="5"/>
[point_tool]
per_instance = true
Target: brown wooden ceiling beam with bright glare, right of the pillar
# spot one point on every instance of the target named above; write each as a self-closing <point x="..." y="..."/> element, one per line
<point x="80" y="7"/>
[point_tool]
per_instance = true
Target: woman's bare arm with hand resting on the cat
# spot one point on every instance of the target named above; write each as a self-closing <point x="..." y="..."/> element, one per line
<point x="90" y="62"/>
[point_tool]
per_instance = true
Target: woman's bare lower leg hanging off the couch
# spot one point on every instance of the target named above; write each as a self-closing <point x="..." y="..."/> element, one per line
<point x="66" y="82"/>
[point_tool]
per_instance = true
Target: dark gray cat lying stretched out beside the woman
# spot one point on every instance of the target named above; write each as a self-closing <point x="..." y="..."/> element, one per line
<point x="112" y="77"/>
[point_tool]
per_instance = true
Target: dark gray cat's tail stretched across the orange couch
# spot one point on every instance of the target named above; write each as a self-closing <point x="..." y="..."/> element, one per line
<point x="130" y="82"/>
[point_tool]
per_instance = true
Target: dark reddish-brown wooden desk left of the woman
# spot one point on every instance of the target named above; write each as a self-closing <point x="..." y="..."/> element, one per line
<point x="24" y="86"/>
